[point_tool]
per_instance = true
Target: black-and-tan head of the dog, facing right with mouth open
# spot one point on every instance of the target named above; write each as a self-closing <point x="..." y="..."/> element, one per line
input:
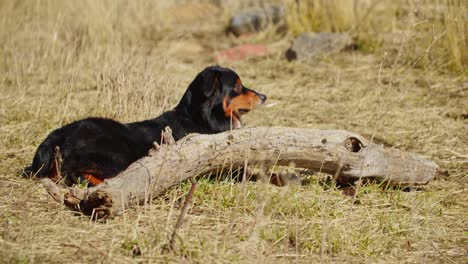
<point x="217" y="98"/>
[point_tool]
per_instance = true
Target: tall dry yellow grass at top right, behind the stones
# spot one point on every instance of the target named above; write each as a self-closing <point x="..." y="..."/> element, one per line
<point x="374" y="23"/>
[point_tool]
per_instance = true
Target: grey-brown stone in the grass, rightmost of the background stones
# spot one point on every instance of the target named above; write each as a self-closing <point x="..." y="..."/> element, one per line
<point x="309" y="45"/>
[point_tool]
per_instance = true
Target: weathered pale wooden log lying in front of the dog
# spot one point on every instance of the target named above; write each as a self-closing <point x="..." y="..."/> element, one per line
<point x="347" y="156"/>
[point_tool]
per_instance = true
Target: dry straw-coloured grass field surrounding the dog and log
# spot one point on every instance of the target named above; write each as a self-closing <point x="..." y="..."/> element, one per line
<point x="405" y="85"/>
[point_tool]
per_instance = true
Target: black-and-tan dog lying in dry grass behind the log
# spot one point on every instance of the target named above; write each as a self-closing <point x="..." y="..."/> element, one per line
<point x="95" y="149"/>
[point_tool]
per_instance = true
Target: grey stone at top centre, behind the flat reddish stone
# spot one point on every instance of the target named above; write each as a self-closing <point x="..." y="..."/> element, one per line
<point x="256" y="19"/>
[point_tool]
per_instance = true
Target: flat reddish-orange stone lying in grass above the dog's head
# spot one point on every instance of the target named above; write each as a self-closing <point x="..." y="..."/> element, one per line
<point x="242" y="52"/>
